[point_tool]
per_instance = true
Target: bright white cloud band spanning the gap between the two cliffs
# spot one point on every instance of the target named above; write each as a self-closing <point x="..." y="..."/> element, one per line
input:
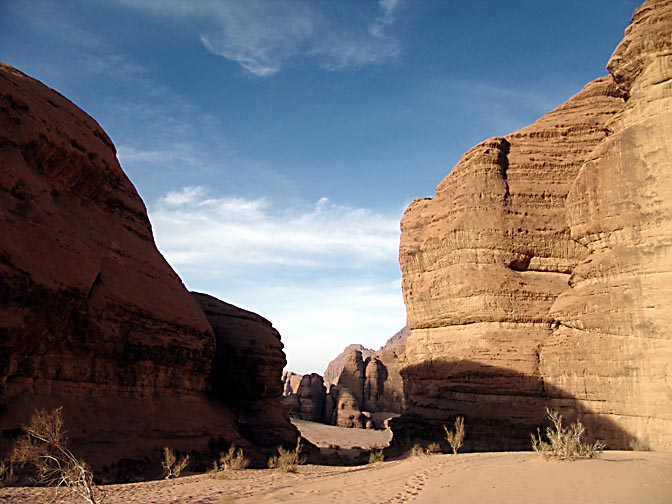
<point x="194" y="227"/>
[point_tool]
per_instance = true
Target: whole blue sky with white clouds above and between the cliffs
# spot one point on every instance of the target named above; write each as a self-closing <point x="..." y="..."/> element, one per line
<point x="276" y="143"/>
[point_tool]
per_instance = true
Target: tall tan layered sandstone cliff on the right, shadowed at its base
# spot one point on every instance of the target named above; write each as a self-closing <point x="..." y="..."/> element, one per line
<point x="540" y="273"/>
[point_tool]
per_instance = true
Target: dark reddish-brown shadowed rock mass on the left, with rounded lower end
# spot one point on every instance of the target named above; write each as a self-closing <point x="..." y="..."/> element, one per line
<point x="92" y="317"/>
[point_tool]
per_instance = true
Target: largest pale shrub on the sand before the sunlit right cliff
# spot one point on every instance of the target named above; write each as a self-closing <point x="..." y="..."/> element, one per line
<point x="564" y="443"/>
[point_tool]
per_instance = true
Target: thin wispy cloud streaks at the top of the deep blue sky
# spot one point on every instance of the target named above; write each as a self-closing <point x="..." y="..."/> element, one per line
<point x="266" y="36"/>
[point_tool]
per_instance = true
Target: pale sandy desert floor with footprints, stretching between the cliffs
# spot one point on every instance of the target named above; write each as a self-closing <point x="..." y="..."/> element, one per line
<point x="615" y="478"/>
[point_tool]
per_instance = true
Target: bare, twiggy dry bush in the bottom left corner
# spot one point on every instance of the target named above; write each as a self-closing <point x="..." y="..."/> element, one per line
<point x="43" y="446"/>
